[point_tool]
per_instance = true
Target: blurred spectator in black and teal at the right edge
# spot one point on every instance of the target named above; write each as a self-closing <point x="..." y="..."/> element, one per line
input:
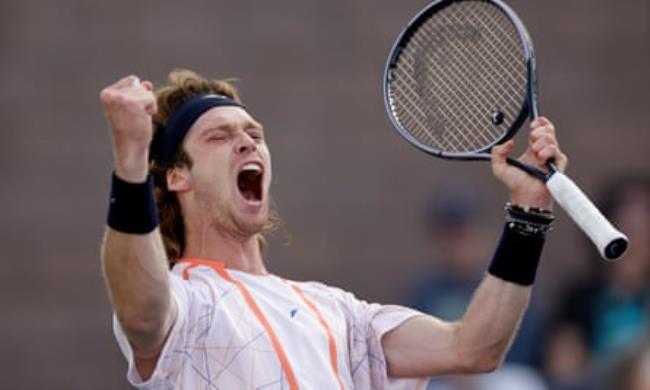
<point x="608" y="312"/>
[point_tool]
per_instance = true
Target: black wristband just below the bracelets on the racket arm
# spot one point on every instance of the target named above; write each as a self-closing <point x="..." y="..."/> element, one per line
<point x="517" y="256"/>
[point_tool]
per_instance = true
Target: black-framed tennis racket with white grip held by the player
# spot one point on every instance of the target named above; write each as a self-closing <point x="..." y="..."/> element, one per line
<point x="460" y="79"/>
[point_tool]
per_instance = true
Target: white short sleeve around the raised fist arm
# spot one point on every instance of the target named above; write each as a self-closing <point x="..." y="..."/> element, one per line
<point x="168" y="366"/>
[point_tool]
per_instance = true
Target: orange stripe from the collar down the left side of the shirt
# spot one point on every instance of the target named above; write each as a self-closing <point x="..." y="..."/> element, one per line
<point x="220" y="269"/>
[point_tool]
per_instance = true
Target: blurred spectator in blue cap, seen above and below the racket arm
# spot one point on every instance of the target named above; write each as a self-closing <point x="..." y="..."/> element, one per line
<point x="444" y="287"/>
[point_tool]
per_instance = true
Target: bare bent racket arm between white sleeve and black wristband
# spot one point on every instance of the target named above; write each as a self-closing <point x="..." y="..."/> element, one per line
<point x="477" y="343"/>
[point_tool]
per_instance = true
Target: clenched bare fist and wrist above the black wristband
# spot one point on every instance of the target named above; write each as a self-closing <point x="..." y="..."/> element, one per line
<point x="129" y="106"/>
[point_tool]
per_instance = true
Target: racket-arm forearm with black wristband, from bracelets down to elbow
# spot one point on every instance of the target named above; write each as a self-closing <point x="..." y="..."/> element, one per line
<point x="494" y="314"/>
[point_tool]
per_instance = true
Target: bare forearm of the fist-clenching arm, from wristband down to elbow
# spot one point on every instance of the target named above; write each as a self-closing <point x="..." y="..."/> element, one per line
<point x="136" y="272"/>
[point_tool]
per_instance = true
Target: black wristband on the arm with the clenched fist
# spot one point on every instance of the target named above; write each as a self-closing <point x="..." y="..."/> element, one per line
<point x="132" y="207"/>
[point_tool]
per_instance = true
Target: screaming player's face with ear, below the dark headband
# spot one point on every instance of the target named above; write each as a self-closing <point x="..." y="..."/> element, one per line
<point x="228" y="184"/>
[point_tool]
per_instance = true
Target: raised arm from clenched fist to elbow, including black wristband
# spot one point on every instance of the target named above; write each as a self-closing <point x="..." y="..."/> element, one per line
<point x="133" y="256"/>
